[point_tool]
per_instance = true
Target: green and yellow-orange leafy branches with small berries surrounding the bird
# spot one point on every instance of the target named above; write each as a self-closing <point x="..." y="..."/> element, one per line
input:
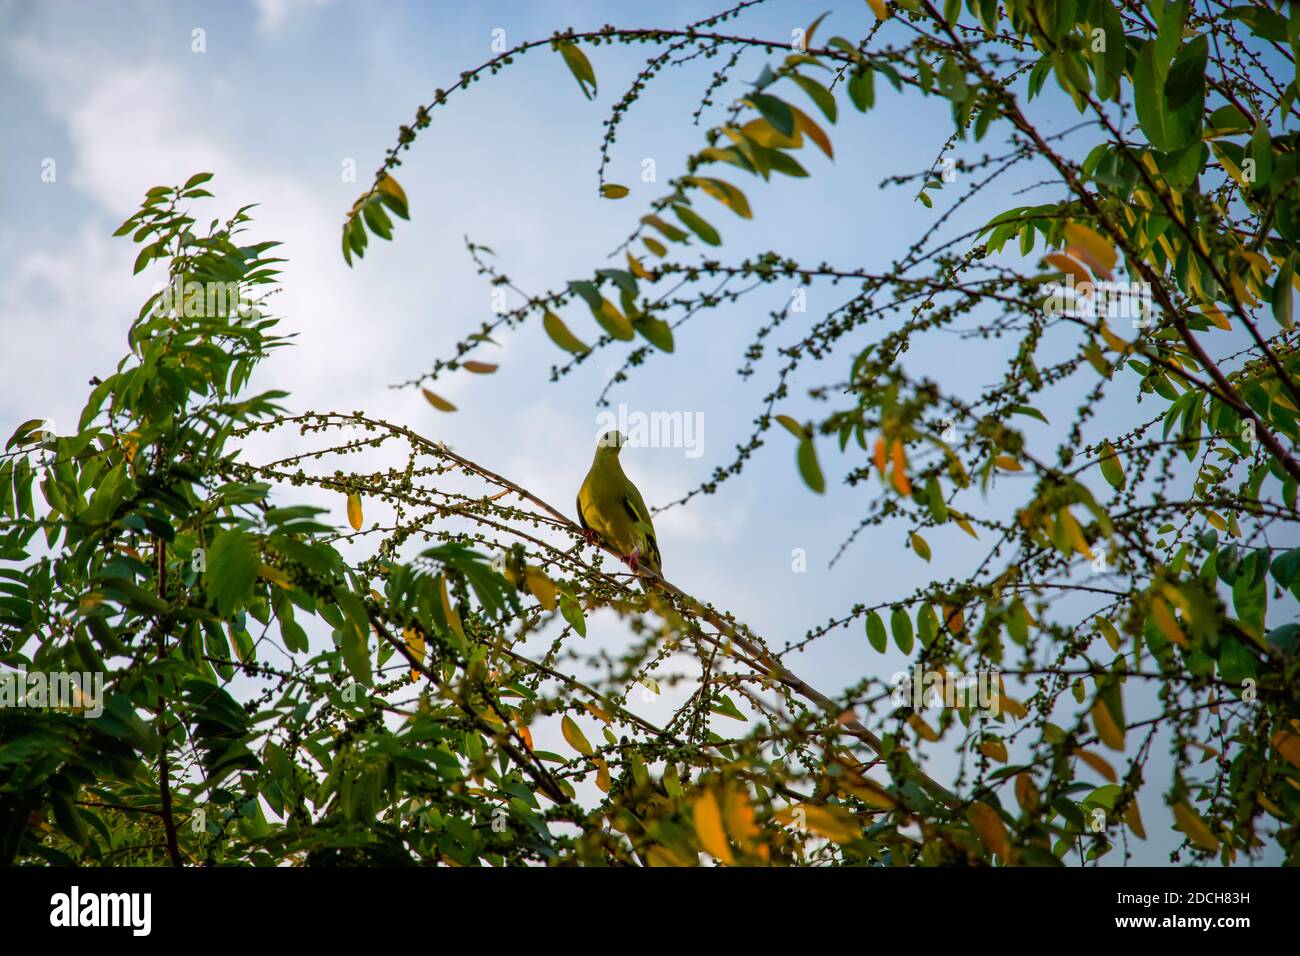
<point x="1146" y="569"/>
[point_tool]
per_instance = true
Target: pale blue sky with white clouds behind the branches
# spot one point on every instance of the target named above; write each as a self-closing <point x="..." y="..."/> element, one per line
<point x="289" y="92"/>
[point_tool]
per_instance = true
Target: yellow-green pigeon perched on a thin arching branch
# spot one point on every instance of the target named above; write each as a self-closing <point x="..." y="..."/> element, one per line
<point x="612" y="509"/>
